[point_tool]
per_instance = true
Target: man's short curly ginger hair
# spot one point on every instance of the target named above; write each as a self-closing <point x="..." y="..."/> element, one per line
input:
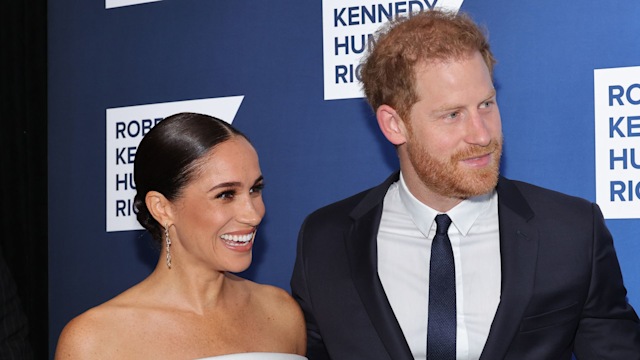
<point x="389" y="69"/>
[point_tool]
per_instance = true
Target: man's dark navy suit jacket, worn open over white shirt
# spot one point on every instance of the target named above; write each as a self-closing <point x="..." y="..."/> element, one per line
<point x="561" y="291"/>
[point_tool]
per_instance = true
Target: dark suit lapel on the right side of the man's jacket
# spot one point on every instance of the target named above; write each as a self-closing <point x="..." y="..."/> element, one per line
<point x="518" y="252"/>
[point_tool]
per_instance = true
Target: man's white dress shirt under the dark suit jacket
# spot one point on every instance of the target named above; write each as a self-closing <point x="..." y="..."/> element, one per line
<point x="404" y="242"/>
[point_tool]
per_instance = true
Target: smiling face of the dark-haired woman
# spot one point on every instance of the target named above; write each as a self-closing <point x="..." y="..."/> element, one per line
<point x="216" y="216"/>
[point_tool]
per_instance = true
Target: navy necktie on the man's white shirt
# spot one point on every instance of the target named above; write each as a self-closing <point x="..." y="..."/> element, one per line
<point x="441" y="330"/>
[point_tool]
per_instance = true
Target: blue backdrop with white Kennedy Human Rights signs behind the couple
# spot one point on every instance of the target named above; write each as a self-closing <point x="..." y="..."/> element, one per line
<point x="286" y="74"/>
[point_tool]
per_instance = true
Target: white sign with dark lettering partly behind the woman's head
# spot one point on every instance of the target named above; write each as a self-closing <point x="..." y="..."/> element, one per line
<point x="125" y="128"/>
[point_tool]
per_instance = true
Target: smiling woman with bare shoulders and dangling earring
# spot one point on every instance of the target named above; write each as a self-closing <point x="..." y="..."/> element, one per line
<point x="199" y="189"/>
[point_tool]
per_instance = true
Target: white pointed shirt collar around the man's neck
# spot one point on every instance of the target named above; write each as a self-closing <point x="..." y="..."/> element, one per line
<point x="462" y="215"/>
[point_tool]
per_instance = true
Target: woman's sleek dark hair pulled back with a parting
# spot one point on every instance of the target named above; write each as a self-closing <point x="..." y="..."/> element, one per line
<point x="167" y="156"/>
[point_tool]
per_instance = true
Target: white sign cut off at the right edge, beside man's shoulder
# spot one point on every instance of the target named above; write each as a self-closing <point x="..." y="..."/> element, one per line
<point x="617" y="139"/>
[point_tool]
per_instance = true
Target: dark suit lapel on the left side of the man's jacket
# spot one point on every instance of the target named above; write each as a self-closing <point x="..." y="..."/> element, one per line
<point x="361" y="245"/>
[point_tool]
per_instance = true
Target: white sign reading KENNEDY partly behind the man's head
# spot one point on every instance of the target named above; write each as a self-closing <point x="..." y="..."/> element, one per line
<point x="348" y="28"/>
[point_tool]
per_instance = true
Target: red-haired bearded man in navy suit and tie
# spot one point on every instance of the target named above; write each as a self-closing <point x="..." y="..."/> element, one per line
<point x="446" y="259"/>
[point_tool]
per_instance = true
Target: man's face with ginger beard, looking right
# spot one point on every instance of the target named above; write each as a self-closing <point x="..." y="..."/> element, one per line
<point x="454" y="134"/>
